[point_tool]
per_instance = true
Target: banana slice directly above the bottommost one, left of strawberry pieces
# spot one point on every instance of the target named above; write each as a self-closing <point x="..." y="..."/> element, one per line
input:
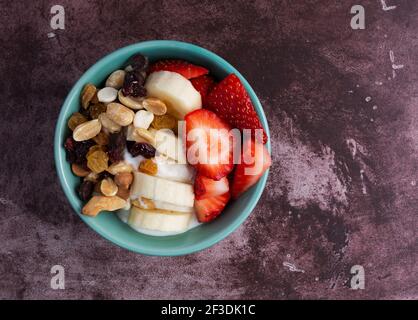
<point x="154" y="188"/>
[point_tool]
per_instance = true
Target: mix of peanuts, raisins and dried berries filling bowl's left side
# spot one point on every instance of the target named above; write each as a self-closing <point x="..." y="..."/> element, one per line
<point x="99" y="134"/>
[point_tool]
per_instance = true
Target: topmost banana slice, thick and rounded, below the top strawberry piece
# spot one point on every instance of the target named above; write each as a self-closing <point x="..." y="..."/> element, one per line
<point x="175" y="90"/>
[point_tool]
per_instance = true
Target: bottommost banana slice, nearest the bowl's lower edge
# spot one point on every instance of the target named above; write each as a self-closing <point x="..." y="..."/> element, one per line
<point x="159" y="220"/>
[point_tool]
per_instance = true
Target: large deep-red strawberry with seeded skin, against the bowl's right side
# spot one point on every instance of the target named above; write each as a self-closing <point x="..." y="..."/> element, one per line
<point x="231" y="102"/>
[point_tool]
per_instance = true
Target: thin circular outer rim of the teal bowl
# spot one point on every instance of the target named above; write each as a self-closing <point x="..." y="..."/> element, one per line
<point x="60" y="159"/>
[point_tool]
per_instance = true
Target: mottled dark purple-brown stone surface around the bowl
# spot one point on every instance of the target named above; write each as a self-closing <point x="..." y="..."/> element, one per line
<point x="343" y="187"/>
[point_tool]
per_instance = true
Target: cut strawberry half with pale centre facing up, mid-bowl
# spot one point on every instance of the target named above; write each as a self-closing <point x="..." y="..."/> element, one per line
<point x="209" y="144"/>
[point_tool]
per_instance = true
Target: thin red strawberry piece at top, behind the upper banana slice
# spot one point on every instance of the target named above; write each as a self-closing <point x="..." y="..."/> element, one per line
<point x="186" y="69"/>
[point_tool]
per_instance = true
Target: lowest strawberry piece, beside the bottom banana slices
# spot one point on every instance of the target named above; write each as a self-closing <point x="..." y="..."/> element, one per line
<point x="209" y="208"/>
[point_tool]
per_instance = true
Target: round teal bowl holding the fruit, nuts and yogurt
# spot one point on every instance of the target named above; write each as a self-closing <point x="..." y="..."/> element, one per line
<point x="107" y="224"/>
